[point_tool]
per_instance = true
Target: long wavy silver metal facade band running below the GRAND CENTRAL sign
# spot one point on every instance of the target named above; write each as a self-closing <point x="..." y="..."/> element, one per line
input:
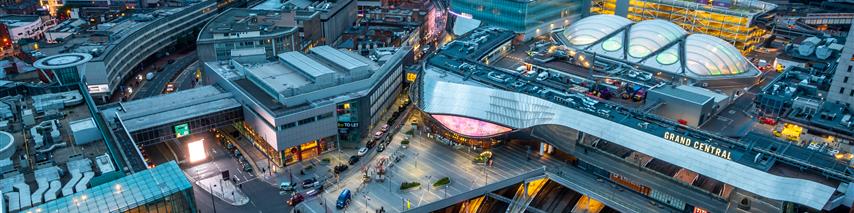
<point x="518" y="110"/>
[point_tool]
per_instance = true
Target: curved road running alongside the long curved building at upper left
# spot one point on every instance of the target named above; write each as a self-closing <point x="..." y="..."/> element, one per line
<point x="156" y="86"/>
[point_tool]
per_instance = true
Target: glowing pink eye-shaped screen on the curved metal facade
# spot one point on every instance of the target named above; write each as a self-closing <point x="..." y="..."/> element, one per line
<point x="469" y="126"/>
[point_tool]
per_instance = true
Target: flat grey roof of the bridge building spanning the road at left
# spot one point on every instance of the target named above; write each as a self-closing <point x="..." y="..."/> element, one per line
<point x="165" y="109"/>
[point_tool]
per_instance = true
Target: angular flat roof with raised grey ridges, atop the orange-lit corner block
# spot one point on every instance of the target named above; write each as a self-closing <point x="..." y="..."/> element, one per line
<point x="297" y="81"/>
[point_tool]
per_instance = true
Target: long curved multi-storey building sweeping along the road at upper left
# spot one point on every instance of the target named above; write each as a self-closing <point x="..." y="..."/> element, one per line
<point x="119" y="46"/>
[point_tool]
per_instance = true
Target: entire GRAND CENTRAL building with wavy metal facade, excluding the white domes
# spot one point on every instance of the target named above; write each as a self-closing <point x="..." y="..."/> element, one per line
<point x="687" y="168"/>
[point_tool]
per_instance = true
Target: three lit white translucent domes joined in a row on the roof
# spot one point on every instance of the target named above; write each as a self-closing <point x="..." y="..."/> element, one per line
<point x="657" y="47"/>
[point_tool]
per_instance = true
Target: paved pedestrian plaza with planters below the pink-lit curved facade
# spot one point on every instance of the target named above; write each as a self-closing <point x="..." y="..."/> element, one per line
<point x="426" y="161"/>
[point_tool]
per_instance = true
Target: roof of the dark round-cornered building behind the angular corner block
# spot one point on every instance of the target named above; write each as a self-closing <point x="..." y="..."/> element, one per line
<point x="240" y="20"/>
